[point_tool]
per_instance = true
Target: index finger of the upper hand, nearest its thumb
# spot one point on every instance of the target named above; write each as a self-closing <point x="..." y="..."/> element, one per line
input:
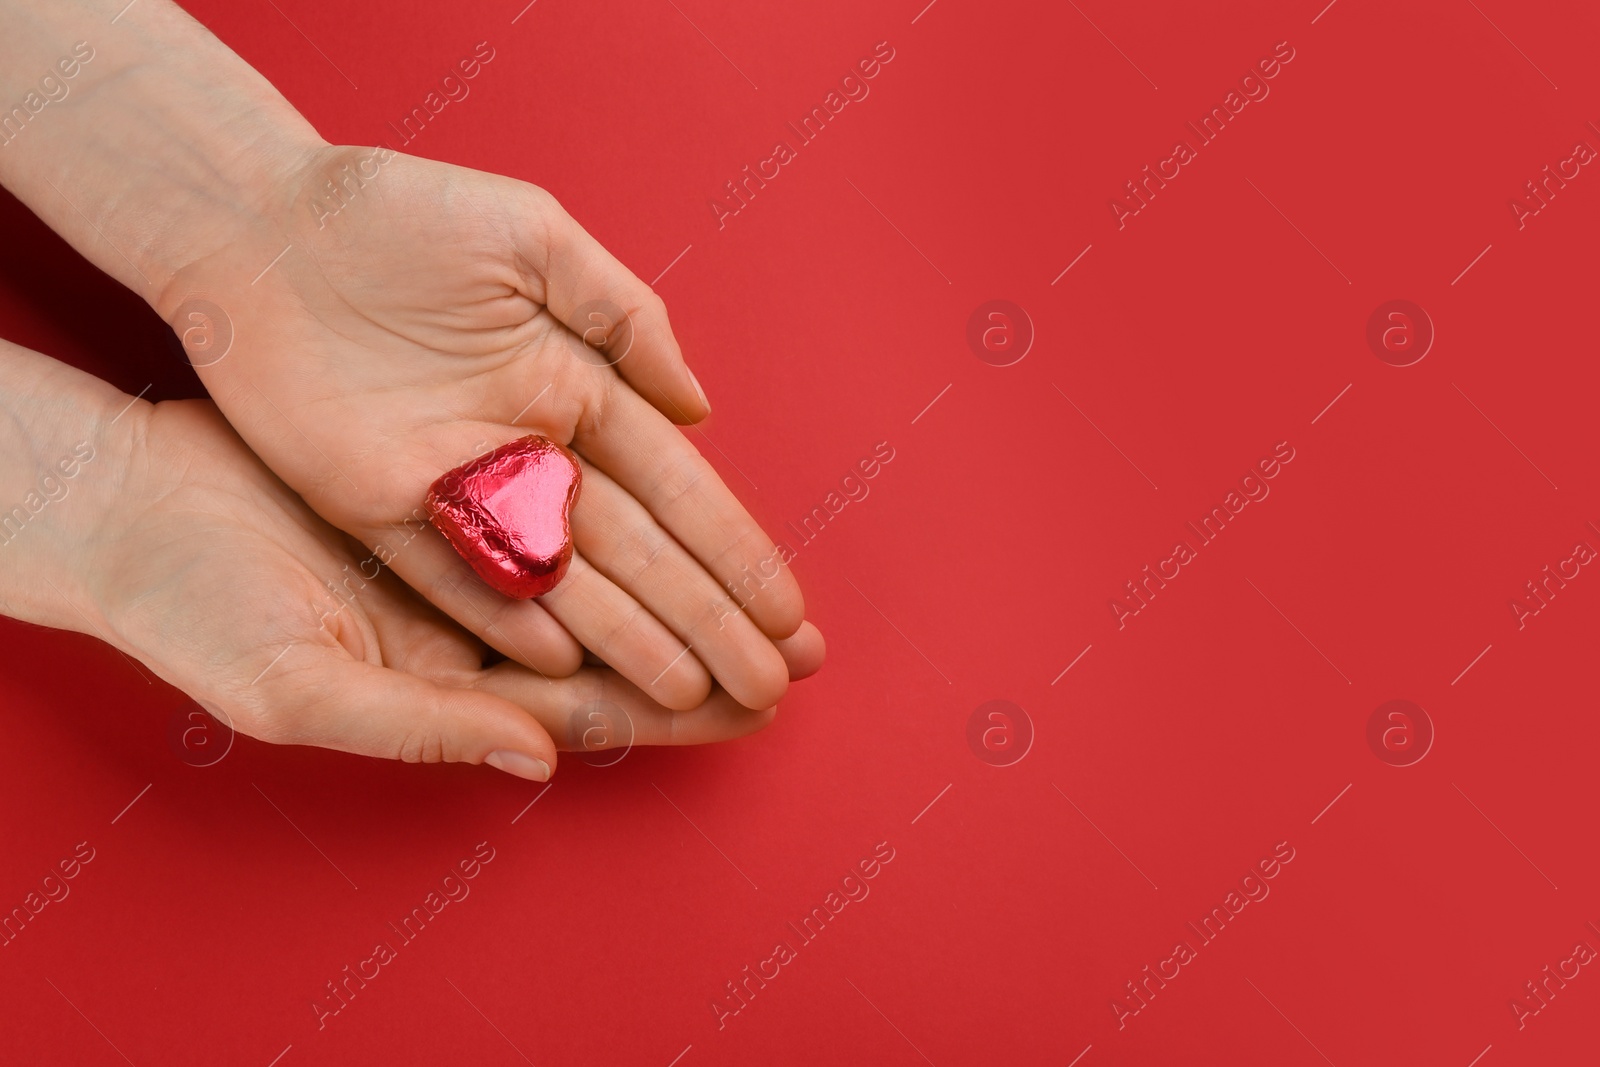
<point x="652" y="460"/>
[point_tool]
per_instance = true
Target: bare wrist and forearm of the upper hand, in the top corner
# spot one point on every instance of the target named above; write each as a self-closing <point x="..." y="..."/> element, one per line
<point x="162" y="148"/>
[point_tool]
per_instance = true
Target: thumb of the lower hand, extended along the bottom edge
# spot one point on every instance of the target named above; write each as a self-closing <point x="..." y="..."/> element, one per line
<point x="324" y="698"/>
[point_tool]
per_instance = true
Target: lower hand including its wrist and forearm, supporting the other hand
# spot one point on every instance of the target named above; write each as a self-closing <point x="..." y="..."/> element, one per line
<point x="174" y="543"/>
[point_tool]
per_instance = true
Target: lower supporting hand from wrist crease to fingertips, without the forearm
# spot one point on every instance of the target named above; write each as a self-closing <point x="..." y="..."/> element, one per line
<point x="220" y="578"/>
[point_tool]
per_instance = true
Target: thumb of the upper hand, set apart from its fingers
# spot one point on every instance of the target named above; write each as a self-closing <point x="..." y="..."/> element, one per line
<point x="612" y="310"/>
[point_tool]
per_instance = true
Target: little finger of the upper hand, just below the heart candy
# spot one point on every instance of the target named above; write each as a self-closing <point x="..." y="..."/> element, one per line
<point x="521" y="629"/>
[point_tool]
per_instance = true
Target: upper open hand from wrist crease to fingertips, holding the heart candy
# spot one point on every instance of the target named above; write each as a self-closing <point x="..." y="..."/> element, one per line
<point x="394" y="318"/>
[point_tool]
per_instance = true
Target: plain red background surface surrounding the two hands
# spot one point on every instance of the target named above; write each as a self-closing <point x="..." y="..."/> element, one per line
<point x="825" y="319"/>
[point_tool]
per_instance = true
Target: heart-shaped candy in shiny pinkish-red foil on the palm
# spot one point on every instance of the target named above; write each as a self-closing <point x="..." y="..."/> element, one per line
<point x="506" y="514"/>
